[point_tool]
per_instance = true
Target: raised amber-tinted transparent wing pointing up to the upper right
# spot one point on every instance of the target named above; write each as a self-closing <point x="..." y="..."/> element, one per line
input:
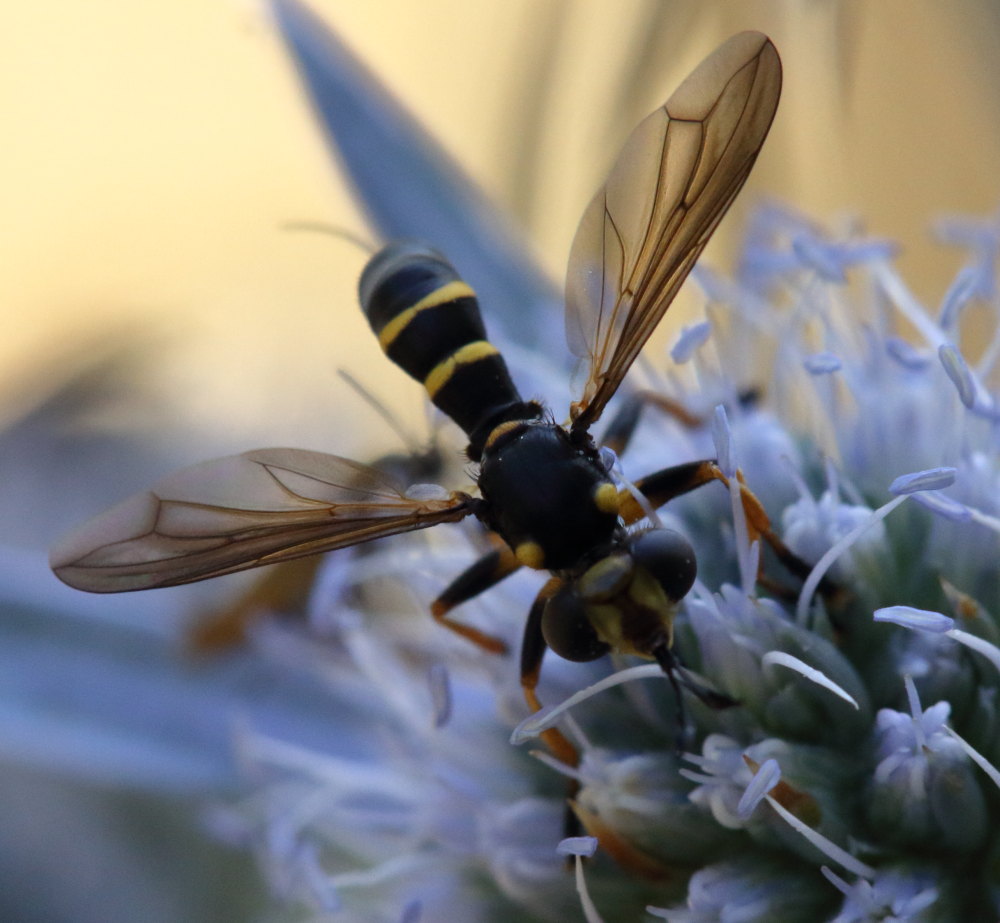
<point x="674" y="180"/>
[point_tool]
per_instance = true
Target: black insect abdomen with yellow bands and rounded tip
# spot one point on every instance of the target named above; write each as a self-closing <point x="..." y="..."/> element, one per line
<point x="427" y="321"/>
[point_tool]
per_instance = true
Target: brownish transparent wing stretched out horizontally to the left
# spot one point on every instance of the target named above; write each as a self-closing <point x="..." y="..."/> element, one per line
<point x="239" y="512"/>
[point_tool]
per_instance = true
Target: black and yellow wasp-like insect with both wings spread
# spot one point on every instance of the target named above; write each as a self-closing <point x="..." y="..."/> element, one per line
<point x="543" y="487"/>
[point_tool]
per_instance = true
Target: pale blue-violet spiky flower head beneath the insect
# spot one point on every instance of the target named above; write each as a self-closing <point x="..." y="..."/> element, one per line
<point x="784" y="769"/>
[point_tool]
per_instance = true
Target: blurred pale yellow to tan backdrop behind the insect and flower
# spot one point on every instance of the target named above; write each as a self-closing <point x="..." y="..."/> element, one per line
<point x="152" y="150"/>
